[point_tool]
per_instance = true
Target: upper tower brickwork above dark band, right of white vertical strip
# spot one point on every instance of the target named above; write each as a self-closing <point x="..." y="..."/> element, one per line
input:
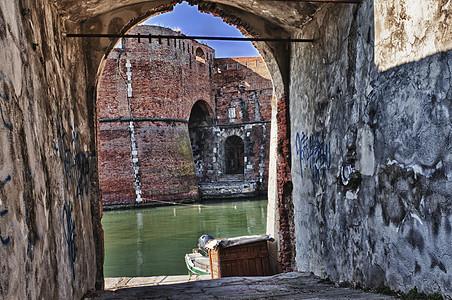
<point x="167" y="79"/>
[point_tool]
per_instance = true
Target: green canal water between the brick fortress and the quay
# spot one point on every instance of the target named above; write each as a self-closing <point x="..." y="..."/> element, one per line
<point x="151" y="242"/>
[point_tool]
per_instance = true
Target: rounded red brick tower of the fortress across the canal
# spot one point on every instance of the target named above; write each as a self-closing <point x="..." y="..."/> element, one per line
<point x="166" y="80"/>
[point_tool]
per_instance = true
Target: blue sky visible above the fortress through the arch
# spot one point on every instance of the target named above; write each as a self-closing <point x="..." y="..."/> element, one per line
<point x="192" y="22"/>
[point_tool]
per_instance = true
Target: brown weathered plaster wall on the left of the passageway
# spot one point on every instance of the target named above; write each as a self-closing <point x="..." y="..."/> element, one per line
<point x="48" y="161"/>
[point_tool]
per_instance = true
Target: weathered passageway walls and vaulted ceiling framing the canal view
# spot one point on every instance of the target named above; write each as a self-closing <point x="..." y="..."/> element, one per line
<point x="360" y="160"/>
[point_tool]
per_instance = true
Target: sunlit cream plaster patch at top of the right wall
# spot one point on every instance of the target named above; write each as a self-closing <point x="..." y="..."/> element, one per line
<point x="409" y="30"/>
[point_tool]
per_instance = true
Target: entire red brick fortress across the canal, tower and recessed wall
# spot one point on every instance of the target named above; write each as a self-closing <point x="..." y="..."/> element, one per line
<point x="146" y="95"/>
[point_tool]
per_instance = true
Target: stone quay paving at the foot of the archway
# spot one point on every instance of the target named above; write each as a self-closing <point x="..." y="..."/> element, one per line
<point x="292" y="285"/>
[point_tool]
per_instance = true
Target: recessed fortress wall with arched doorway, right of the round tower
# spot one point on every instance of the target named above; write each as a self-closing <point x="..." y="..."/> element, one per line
<point x="242" y="91"/>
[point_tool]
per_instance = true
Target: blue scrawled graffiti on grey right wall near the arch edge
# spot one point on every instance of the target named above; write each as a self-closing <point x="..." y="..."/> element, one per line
<point x="314" y="154"/>
